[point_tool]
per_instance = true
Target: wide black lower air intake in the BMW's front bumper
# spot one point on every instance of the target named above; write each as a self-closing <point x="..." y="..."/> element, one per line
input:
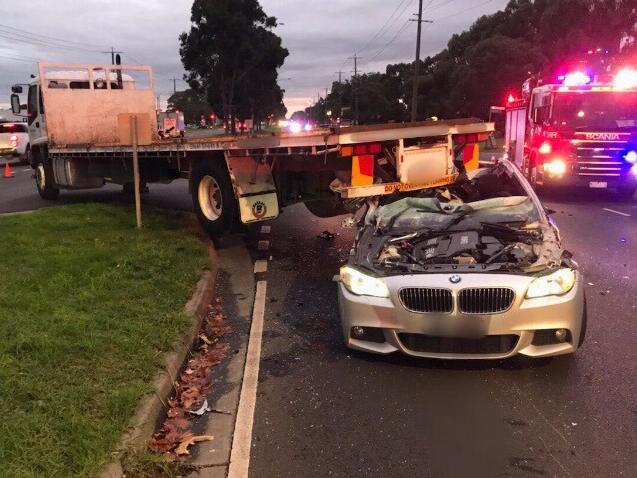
<point x="490" y="344"/>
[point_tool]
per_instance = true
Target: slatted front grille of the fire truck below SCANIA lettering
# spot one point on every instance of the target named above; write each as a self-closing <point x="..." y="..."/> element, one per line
<point x="600" y="158"/>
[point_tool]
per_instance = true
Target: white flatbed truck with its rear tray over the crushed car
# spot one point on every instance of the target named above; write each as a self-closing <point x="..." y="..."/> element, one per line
<point x="79" y="118"/>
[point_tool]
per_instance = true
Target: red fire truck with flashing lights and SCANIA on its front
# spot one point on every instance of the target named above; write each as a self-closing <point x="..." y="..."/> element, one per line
<point x="580" y="130"/>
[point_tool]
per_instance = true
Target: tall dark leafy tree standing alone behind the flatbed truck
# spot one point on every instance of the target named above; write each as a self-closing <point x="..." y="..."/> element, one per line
<point x="232" y="55"/>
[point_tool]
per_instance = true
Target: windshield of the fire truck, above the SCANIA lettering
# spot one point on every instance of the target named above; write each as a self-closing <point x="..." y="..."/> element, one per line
<point x="595" y="110"/>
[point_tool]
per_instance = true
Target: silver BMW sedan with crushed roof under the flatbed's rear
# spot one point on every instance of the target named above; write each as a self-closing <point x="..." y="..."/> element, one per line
<point x="474" y="270"/>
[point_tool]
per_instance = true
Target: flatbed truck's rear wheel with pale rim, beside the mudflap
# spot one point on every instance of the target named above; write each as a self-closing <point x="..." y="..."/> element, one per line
<point x="213" y="198"/>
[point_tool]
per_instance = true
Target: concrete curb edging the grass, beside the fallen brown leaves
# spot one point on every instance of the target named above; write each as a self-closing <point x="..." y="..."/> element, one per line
<point x="152" y="408"/>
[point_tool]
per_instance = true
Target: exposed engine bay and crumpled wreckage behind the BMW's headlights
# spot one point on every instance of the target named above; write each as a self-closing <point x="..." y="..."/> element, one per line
<point x="486" y="222"/>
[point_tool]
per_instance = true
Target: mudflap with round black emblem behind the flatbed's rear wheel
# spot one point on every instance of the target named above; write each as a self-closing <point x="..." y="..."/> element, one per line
<point x="254" y="188"/>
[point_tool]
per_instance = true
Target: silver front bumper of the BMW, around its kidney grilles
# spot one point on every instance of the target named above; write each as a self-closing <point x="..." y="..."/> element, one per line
<point x="527" y="327"/>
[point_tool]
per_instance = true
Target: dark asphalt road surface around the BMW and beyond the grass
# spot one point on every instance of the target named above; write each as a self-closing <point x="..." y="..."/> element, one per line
<point x="325" y="411"/>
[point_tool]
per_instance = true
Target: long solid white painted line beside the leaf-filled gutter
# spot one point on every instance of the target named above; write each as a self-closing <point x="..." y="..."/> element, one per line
<point x="242" y="439"/>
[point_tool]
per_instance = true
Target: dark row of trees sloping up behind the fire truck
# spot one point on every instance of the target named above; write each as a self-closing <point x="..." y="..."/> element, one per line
<point x="494" y="56"/>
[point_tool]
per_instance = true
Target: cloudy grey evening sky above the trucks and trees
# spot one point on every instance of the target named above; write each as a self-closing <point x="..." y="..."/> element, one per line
<point x="320" y="35"/>
